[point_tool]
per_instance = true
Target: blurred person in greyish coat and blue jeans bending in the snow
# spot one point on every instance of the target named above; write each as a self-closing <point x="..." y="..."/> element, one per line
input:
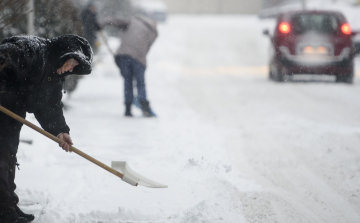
<point x="139" y="33"/>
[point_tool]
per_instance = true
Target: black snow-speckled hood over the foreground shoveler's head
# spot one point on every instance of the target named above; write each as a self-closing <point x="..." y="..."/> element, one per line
<point x="65" y="47"/>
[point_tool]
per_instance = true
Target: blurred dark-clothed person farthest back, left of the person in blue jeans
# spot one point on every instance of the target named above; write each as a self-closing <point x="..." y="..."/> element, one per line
<point x="90" y="23"/>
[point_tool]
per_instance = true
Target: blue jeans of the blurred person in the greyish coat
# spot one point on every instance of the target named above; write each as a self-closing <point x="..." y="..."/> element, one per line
<point x="132" y="69"/>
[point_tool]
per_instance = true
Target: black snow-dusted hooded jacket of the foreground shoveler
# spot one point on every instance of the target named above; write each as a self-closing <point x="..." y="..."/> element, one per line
<point x="29" y="72"/>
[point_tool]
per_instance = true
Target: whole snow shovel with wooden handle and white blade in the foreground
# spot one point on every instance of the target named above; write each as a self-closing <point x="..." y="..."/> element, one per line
<point x="119" y="168"/>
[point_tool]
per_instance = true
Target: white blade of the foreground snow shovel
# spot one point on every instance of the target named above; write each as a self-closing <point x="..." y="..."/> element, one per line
<point x="132" y="177"/>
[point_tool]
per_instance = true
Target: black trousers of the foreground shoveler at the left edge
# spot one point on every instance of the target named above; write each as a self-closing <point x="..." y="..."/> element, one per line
<point x="9" y="142"/>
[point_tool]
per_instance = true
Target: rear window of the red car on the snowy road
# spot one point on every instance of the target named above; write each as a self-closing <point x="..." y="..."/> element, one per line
<point x="320" y="23"/>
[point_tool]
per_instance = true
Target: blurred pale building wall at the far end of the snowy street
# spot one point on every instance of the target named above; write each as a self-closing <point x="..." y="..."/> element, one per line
<point x="214" y="6"/>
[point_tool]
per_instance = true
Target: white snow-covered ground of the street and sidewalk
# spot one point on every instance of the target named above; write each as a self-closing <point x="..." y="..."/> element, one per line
<point x="231" y="145"/>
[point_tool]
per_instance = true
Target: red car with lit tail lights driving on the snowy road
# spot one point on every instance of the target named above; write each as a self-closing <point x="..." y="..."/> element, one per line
<point x="312" y="42"/>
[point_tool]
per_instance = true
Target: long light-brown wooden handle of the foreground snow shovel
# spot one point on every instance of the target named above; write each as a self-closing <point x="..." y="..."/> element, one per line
<point x="50" y="136"/>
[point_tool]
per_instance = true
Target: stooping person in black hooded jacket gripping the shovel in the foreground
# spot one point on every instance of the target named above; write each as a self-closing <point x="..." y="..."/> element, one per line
<point x="32" y="73"/>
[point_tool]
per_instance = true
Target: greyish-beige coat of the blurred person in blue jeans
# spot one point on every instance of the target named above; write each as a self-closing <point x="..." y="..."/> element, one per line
<point x="139" y="34"/>
